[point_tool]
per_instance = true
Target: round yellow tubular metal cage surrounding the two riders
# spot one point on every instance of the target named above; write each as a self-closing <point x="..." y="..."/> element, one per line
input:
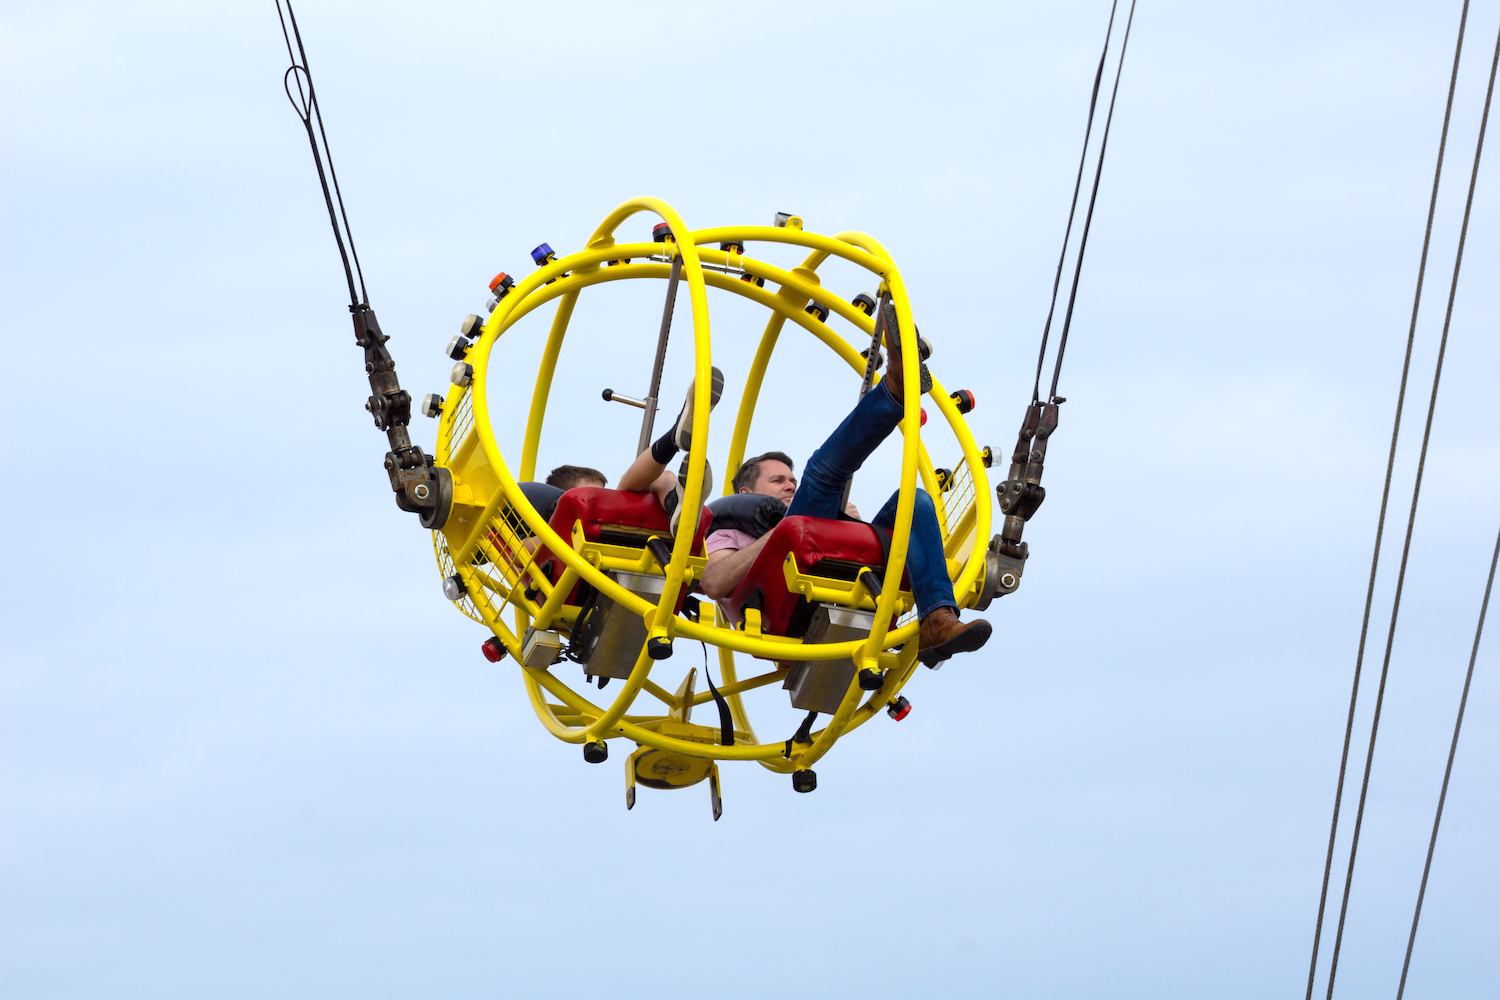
<point x="785" y="304"/>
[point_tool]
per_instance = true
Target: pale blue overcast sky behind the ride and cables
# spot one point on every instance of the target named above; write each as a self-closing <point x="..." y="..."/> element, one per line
<point x="248" y="749"/>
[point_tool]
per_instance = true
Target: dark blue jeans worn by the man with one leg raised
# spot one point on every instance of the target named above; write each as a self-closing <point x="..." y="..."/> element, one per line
<point x="821" y="491"/>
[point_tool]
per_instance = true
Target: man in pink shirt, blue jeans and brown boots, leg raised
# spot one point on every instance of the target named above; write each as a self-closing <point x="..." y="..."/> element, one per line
<point x="731" y="551"/>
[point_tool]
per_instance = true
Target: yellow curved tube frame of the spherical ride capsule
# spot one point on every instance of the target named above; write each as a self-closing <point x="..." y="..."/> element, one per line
<point x="577" y="720"/>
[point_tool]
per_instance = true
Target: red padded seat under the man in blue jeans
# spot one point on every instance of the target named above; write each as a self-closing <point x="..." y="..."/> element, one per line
<point x="823" y="548"/>
